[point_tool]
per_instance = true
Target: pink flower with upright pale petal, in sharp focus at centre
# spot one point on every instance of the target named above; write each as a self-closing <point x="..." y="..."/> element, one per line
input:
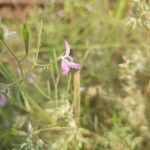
<point x="67" y="62"/>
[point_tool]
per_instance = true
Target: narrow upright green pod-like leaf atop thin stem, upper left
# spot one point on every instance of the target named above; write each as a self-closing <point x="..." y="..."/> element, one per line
<point x="26" y="35"/>
